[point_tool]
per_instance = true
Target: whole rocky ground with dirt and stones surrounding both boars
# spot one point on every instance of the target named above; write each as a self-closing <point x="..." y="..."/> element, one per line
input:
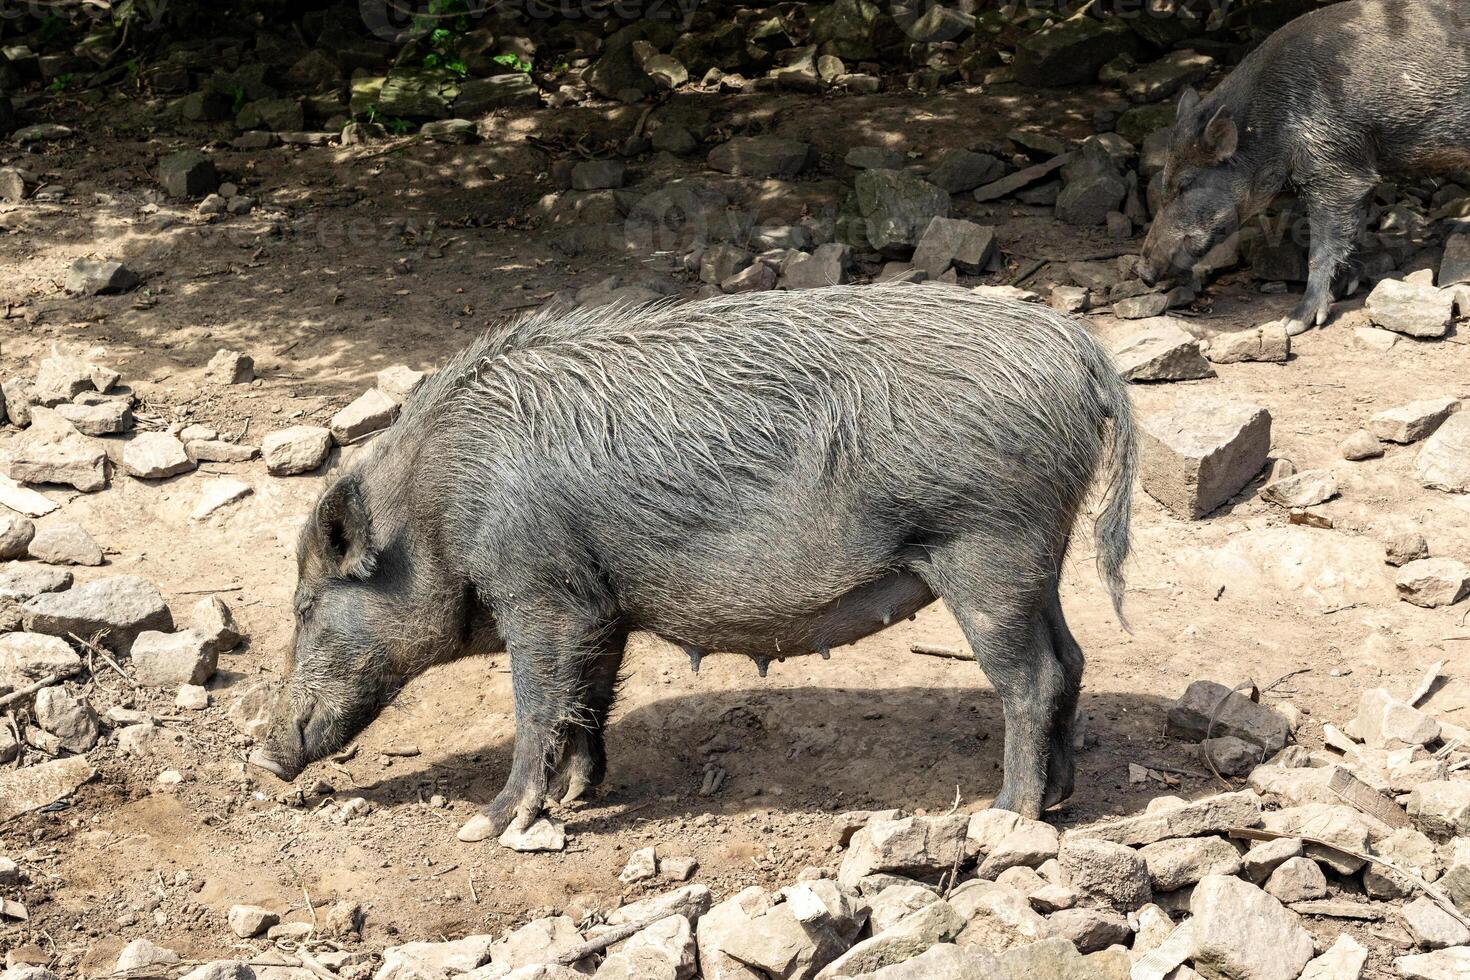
<point x="232" y="252"/>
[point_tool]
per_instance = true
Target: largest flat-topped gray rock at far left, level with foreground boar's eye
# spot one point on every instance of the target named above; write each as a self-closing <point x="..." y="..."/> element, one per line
<point x="121" y="608"/>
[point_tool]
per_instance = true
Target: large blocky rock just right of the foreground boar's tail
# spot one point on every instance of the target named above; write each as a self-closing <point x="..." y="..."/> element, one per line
<point x="1199" y="458"/>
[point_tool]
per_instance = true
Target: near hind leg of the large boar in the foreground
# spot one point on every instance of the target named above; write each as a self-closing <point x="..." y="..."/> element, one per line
<point x="1008" y="630"/>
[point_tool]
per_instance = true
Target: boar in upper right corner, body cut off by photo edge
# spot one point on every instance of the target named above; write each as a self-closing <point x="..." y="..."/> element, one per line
<point x="1328" y="104"/>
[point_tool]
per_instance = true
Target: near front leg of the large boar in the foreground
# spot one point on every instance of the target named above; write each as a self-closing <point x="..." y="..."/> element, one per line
<point x="548" y="656"/>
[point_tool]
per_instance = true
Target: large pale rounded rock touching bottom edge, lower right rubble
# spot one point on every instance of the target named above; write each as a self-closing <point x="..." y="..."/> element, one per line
<point x="1244" y="934"/>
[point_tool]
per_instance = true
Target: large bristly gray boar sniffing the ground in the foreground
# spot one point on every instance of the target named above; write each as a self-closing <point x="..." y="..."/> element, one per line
<point x="770" y="474"/>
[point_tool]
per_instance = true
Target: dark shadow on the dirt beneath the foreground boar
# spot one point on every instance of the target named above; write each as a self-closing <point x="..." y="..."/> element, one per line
<point x="817" y="749"/>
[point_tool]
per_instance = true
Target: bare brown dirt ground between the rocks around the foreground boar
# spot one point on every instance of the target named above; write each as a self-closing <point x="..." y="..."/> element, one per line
<point x="361" y="258"/>
